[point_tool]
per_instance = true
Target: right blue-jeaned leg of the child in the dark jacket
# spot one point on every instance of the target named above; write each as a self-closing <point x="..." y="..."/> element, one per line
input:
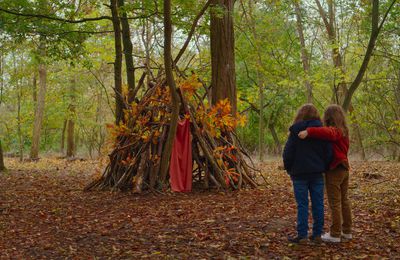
<point x="317" y="204"/>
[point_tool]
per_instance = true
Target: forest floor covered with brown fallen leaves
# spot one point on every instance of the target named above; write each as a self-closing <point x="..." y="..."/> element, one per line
<point x="45" y="214"/>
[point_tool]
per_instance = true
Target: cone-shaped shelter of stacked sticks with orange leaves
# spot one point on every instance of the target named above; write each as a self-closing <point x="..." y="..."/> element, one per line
<point x="219" y="160"/>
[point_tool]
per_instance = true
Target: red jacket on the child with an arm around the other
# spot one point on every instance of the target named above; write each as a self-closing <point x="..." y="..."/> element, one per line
<point x="340" y="143"/>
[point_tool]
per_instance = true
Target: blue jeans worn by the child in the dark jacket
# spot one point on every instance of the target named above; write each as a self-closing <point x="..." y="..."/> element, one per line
<point x="316" y="189"/>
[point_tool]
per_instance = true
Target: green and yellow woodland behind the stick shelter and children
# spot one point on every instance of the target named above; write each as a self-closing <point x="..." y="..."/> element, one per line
<point x="57" y="80"/>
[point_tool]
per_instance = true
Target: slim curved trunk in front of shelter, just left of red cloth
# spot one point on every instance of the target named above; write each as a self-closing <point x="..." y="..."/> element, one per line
<point x="165" y="158"/>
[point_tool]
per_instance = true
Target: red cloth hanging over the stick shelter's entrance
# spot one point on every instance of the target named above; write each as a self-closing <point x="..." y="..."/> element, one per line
<point x="180" y="168"/>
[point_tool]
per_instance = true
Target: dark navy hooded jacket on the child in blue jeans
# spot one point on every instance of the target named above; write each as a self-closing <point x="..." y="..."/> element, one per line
<point x="308" y="158"/>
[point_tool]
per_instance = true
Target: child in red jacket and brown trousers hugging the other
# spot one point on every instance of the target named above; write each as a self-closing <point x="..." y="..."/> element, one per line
<point x="337" y="178"/>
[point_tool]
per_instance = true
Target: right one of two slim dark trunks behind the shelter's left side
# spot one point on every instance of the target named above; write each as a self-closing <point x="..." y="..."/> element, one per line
<point x="126" y="39"/>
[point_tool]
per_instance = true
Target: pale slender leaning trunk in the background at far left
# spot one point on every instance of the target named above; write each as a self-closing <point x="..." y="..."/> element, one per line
<point x="39" y="110"/>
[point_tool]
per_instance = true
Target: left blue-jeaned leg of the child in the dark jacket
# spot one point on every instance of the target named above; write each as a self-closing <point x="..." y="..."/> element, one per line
<point x="300" y="188"/>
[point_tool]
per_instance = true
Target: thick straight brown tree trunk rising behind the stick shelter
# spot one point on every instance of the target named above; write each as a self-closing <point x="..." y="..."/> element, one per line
<point x="222" y="41"/>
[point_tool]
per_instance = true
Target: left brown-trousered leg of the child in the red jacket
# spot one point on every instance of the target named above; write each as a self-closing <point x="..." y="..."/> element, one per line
<point x="334" y="179"/>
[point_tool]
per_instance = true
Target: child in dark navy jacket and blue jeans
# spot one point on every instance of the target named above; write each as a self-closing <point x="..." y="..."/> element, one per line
<point x="305" y="161"/>
